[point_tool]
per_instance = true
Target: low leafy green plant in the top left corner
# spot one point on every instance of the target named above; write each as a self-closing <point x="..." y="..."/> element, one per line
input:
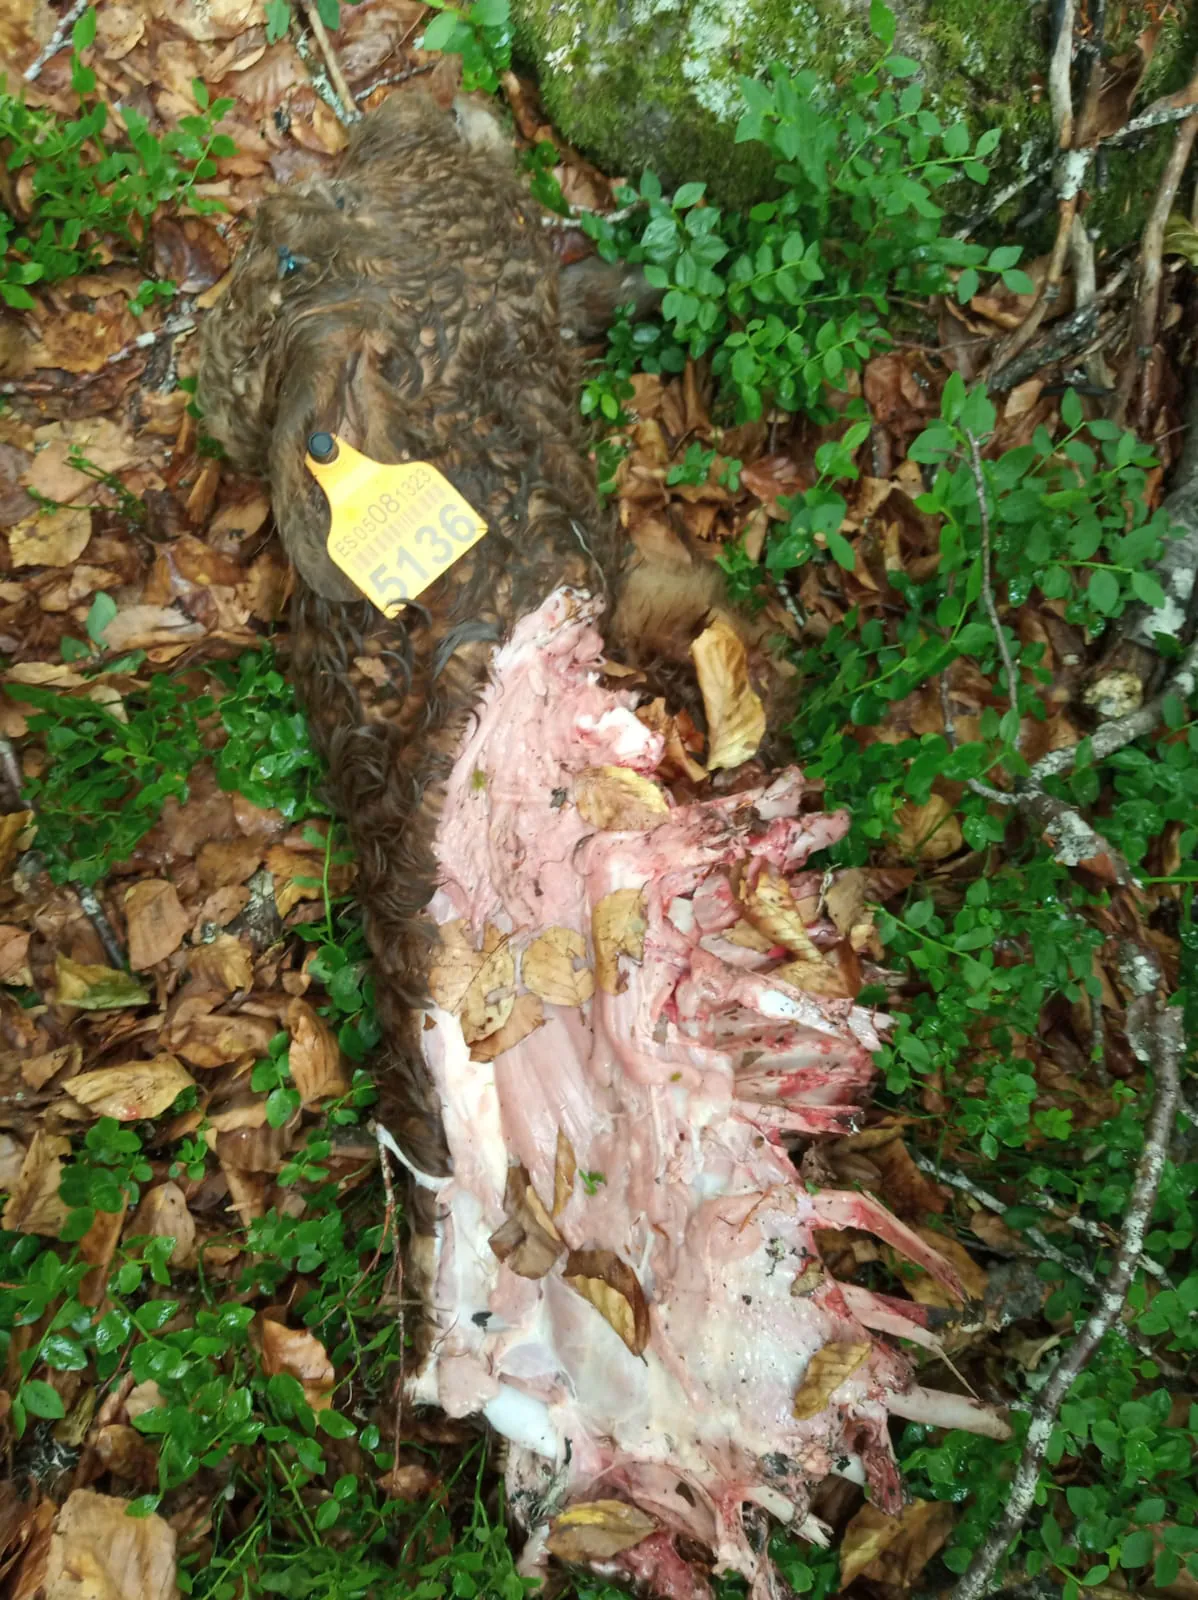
<point x="90" y="186"/>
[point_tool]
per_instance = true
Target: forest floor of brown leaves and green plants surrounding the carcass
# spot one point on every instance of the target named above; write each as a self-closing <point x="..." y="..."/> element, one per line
<point x="199" y="1282"/>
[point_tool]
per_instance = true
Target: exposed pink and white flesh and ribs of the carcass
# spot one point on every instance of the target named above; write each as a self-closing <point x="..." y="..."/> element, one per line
<point x="676" y="1097"/>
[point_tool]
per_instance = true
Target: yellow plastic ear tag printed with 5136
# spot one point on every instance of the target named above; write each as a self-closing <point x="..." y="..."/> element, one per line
<point x="393" y="530"/>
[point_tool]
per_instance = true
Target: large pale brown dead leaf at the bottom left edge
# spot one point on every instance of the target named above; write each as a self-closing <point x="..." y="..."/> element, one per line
<point x="98" y="1551"/>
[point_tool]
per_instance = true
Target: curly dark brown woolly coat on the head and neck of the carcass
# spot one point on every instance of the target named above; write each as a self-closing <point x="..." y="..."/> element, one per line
<point x="410" y="305"/>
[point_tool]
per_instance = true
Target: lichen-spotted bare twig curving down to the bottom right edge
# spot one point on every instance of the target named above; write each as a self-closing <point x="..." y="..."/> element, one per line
<point x="1156" y="1038"/>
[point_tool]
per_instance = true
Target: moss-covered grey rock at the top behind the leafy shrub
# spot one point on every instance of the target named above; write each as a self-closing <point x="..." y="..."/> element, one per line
<point x="655" y="82"/>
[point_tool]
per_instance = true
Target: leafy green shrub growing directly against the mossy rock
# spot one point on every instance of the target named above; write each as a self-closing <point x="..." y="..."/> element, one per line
<point x="794" y="294"/>
